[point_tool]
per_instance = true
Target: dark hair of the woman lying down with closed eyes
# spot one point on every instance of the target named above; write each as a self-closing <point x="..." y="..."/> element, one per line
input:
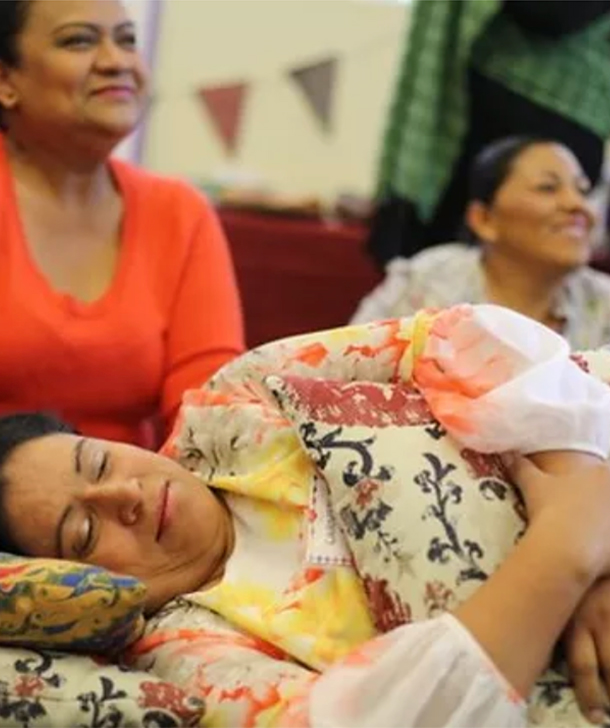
<point x="16" y="430"/>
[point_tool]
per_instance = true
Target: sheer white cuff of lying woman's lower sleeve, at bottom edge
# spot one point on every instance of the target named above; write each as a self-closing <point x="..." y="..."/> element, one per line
<point x="430" y="674"/>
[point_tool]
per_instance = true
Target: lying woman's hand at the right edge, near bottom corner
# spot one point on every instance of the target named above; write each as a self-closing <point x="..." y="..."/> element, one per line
<point x="587" y="642"/>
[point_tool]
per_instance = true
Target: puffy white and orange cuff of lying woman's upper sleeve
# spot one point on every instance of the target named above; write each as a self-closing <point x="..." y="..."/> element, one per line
<point x="547" y="403"/>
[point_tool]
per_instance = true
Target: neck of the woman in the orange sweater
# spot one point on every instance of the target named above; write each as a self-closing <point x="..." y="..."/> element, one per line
<point x="66" y="175"/>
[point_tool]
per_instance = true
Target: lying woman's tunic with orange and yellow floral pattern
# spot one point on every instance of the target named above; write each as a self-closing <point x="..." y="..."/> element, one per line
<point x="264" y="646"/>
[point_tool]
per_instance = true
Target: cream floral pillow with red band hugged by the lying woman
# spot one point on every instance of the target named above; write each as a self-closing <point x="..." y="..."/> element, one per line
<point x="426" y="520"/>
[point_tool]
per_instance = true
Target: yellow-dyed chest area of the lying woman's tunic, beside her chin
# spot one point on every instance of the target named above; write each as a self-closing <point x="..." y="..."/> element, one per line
<point x="305" y="616"/>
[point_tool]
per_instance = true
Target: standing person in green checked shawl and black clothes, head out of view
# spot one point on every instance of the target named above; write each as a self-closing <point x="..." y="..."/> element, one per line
<point x="475" y="72"/>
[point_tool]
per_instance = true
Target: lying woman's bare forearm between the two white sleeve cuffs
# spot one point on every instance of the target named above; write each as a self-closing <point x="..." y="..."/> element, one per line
<point x="522" y="610"/>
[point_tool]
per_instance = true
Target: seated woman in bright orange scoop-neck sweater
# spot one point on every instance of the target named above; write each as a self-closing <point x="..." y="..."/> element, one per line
<point x="117" y="291"/>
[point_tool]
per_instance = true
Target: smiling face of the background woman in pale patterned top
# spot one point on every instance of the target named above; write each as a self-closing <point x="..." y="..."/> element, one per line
<point x="540" y="215"/>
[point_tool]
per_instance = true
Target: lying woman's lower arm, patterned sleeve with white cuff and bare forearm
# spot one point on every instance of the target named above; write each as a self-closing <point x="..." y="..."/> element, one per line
<point x="466" y="669"/>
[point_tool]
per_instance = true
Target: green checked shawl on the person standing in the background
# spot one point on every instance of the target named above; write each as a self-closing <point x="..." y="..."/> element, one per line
<point x="428" y="118"/>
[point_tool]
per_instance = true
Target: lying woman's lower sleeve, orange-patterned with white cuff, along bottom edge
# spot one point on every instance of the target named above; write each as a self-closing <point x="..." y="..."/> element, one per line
<point x="421" y="674"/>
